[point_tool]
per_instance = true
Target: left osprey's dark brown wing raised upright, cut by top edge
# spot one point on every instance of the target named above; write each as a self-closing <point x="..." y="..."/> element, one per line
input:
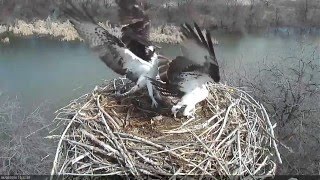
<point x="136" y="29"/>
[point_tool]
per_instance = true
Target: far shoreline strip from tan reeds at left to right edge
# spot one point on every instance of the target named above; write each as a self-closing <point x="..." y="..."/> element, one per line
<point x="64" y="31"/>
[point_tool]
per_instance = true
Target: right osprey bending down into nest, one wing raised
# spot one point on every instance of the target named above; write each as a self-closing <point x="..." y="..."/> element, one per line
<point x="187" y="76"/>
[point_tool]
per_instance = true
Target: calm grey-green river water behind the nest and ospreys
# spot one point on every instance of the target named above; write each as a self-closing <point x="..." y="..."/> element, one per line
<point x="44" y="71"/>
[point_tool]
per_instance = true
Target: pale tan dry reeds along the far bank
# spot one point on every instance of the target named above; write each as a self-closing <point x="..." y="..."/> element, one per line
<point x="64" y="31"/>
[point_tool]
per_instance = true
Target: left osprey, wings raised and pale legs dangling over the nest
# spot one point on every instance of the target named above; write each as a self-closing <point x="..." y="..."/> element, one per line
<point x="133" y="55"/>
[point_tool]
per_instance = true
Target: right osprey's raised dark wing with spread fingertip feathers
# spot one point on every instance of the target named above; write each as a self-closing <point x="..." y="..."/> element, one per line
<point x="198" y="55"/>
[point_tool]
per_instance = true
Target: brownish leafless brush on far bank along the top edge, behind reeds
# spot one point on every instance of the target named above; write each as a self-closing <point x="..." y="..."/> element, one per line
<point x="231" y="15"/>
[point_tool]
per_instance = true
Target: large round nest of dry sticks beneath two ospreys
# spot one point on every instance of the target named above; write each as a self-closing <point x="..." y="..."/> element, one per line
<point x="231" y="134"/>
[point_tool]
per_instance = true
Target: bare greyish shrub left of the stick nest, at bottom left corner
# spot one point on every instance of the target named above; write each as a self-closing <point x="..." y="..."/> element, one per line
<point x="23" y="150"/>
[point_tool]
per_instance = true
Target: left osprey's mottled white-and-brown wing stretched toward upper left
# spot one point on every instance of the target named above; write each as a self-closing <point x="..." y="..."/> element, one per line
<point x="111" y="50"/>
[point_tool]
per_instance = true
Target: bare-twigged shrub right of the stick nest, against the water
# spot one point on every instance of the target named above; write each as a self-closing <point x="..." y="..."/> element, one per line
<point x="290" y="90"/>
